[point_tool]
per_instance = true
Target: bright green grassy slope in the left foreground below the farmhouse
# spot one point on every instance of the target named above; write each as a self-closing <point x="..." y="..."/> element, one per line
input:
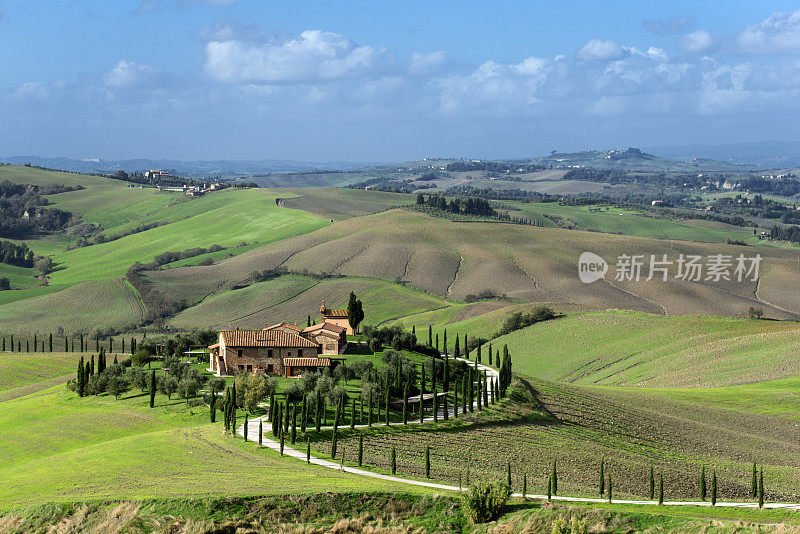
<point x="127" y="450"/>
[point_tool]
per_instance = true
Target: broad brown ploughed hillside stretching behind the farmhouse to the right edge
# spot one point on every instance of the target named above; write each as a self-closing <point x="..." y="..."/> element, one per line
<point x="451" y="259"/>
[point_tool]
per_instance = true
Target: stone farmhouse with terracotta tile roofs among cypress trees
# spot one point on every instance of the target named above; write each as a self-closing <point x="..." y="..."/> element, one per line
<point x="282" y="349"/>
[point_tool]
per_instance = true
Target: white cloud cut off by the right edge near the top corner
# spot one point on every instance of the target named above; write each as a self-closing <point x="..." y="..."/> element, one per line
<point x="778" y="34"/>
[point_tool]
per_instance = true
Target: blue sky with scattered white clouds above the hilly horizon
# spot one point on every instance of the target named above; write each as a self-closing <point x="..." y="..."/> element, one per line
<point x="391" y="81"/>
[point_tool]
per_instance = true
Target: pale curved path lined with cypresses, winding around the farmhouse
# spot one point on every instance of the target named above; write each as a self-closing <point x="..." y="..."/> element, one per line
<point x="491" y="374"/>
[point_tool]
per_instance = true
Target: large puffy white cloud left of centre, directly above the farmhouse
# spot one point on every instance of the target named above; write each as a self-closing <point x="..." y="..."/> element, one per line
<point x="312" y="56"/>
